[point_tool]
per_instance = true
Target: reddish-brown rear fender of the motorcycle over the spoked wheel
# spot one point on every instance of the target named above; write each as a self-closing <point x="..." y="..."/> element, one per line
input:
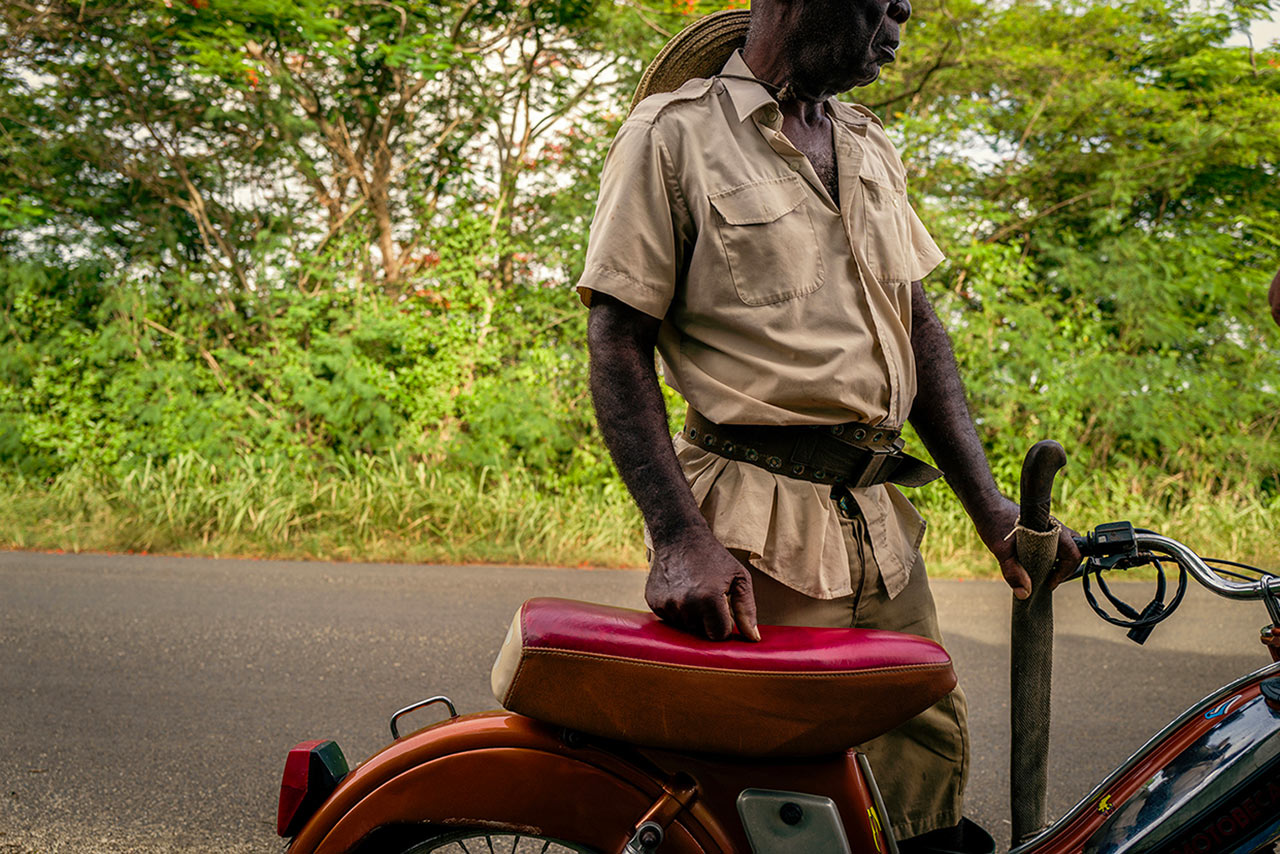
<point x="497" y="771"/>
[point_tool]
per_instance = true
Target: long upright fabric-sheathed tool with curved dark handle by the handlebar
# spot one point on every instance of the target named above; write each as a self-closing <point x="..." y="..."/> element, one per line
<point x="1032" y="646"/>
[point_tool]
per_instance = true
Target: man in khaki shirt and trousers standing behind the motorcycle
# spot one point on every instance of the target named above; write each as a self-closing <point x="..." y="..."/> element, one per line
<point x="757" y="234"/>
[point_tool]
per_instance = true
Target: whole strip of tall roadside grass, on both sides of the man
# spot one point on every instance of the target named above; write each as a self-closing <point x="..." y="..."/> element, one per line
<point x="383" y="509"/>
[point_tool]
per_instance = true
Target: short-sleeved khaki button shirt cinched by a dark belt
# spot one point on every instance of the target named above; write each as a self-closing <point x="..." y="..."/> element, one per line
<point x="779" y="305"/>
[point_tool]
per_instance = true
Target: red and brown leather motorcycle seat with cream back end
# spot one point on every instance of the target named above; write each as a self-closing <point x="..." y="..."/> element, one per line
<point x="799" y="692"/>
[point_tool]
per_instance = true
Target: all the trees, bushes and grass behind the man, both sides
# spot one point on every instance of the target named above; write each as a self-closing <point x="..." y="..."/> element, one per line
<point x="254" y="250"/>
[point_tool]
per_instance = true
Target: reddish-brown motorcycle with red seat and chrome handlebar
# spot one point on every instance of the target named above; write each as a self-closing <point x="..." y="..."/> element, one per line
<point x="621" y="736"/>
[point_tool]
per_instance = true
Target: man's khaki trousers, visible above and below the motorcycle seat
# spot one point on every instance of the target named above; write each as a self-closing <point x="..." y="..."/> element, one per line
<point x="924" y="765"/>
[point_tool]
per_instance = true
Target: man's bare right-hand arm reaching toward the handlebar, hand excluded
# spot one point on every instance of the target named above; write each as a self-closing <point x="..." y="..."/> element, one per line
<point x="941" y="417"/>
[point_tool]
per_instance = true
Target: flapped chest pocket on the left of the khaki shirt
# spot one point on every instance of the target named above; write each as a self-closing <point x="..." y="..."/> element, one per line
<point x="769" y="240"/>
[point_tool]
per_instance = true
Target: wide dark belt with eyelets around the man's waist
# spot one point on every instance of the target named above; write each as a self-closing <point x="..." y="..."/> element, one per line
<point x="849" y="455"/>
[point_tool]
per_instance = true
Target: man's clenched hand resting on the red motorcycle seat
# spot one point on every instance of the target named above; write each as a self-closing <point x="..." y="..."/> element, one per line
<point x="697" y="586"/>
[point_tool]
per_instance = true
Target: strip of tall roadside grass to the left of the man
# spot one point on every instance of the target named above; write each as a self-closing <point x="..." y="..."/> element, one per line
<point x="373" y="509"/>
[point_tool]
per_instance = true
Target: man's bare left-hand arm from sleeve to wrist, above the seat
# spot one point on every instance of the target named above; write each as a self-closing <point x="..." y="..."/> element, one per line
<point x="633" y="419"/>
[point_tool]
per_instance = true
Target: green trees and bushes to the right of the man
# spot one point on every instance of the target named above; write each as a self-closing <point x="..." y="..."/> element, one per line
<point x="1104" y="177"/>
